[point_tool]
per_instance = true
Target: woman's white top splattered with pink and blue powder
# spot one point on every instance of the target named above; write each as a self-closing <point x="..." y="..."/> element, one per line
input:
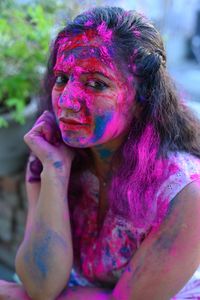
<point x="101" y="258"/>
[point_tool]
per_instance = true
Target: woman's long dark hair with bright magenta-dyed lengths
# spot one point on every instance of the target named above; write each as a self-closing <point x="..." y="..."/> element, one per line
<point x="161" y="123"/>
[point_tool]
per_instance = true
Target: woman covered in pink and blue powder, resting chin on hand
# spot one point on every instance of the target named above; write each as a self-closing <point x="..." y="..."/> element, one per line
<point x="113" y="181"/>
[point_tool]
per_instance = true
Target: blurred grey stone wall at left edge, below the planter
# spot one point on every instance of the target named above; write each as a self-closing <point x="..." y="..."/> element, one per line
<point x="13" y="208"/>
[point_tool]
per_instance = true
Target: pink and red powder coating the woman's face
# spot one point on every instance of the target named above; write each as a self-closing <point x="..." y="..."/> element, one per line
<point x="92" y="103"/>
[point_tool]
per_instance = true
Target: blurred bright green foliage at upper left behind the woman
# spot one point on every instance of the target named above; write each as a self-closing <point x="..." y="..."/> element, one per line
<point x="24" y="41"/>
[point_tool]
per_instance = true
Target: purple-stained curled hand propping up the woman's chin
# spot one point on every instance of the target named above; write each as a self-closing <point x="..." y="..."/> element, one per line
<point x="45" y="142"/>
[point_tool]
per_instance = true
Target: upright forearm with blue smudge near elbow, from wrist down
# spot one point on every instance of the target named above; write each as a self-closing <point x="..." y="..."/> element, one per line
<point x="45" y="257"/>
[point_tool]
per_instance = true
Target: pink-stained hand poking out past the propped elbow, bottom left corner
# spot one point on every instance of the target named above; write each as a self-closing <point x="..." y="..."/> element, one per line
<point x="12" y="291"/>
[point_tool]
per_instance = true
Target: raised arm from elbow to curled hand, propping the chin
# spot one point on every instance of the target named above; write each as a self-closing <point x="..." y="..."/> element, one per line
<point x="45" y="257"/>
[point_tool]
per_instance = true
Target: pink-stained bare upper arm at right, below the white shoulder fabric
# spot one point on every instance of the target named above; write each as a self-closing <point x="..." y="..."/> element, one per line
<point x="169" y="256"/>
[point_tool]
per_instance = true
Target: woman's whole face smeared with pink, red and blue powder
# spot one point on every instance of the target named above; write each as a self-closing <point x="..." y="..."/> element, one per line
<point x="92" y="99"/>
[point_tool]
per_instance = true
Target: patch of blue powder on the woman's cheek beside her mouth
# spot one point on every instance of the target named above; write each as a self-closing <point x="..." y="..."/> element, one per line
<point x="100" y="126"/>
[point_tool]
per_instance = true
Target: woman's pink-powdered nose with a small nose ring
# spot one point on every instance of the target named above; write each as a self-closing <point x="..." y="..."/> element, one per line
<point x="70" y="99"/>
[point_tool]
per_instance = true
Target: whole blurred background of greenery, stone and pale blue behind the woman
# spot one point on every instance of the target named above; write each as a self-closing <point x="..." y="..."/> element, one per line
<point x="26" y="31"/>
